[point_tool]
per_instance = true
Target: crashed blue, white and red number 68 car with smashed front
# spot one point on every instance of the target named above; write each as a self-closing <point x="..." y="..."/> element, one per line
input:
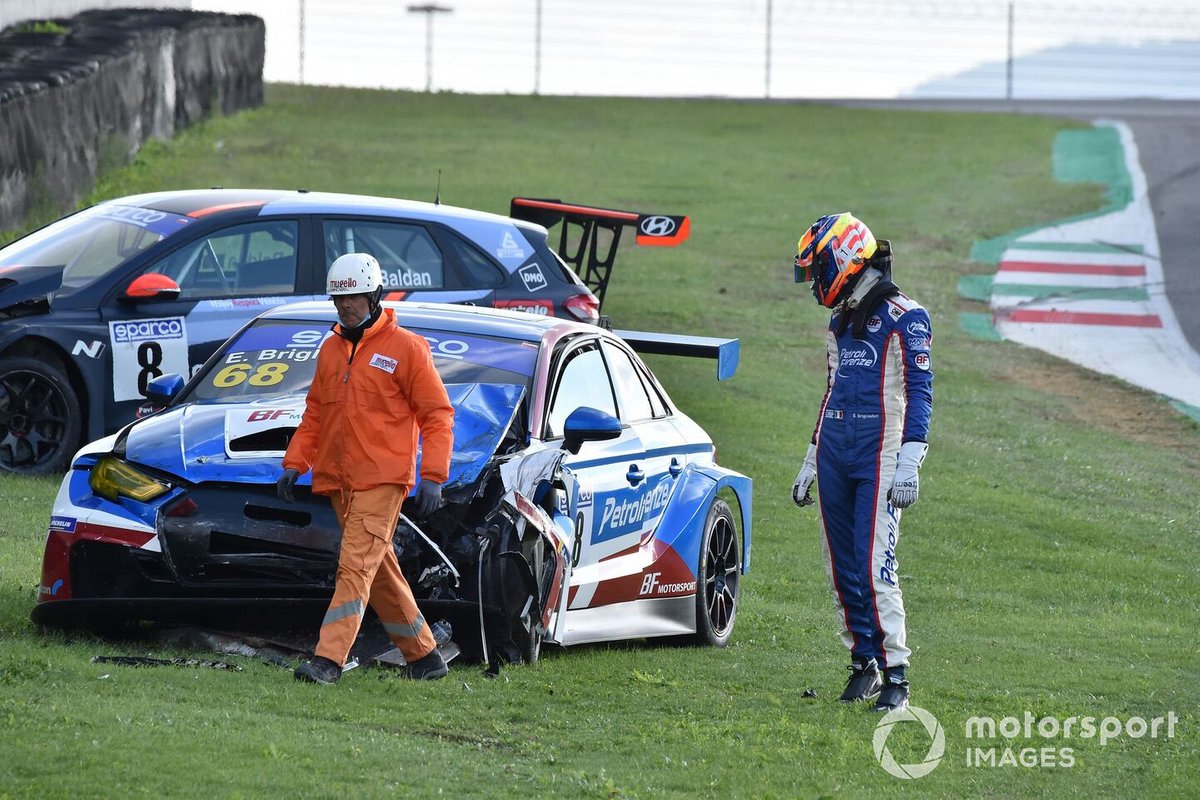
<point x="583" y="506"/>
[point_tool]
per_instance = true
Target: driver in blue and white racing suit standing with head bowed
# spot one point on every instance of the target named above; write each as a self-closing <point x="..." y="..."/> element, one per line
<point x="869" y="443"/>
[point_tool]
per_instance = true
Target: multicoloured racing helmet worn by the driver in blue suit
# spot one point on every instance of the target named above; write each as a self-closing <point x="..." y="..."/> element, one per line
<point x="833" y="254"/>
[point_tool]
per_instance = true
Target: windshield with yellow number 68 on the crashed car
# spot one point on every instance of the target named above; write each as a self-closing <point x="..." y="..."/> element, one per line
<point x="279" y="357"/>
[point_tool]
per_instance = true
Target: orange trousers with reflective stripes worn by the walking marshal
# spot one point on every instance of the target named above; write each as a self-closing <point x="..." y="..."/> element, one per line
<point x="368" y="573"/>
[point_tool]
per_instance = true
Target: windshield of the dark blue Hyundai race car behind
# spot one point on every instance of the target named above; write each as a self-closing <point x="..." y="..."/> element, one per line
<point x="91" y="244"/>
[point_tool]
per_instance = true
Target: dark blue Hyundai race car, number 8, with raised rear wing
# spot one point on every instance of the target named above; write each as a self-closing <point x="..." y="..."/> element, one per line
<point x="97" y="305"/>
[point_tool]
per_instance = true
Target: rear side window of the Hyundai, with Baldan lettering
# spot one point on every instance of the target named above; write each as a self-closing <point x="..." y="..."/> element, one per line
<point x="407" y="254"/>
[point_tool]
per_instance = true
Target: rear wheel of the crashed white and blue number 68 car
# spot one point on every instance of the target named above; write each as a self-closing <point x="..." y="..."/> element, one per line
<point x="719" y="579"/>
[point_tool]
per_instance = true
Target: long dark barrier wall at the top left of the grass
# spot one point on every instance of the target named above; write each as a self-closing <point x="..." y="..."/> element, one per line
<point x="75" y="103"/>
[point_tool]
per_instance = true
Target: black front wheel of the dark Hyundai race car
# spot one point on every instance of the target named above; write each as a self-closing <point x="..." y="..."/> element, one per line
<point x="40" y="418"/>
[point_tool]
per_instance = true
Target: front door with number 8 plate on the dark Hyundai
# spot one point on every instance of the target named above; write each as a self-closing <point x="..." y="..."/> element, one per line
<point x="225" y="279"/>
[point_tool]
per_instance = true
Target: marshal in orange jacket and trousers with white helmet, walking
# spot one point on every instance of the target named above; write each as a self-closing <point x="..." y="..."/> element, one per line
<point x="376" y="389"/>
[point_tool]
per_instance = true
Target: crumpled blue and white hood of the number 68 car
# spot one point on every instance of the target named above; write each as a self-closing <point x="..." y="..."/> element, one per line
<point x="244" y="443"/>
